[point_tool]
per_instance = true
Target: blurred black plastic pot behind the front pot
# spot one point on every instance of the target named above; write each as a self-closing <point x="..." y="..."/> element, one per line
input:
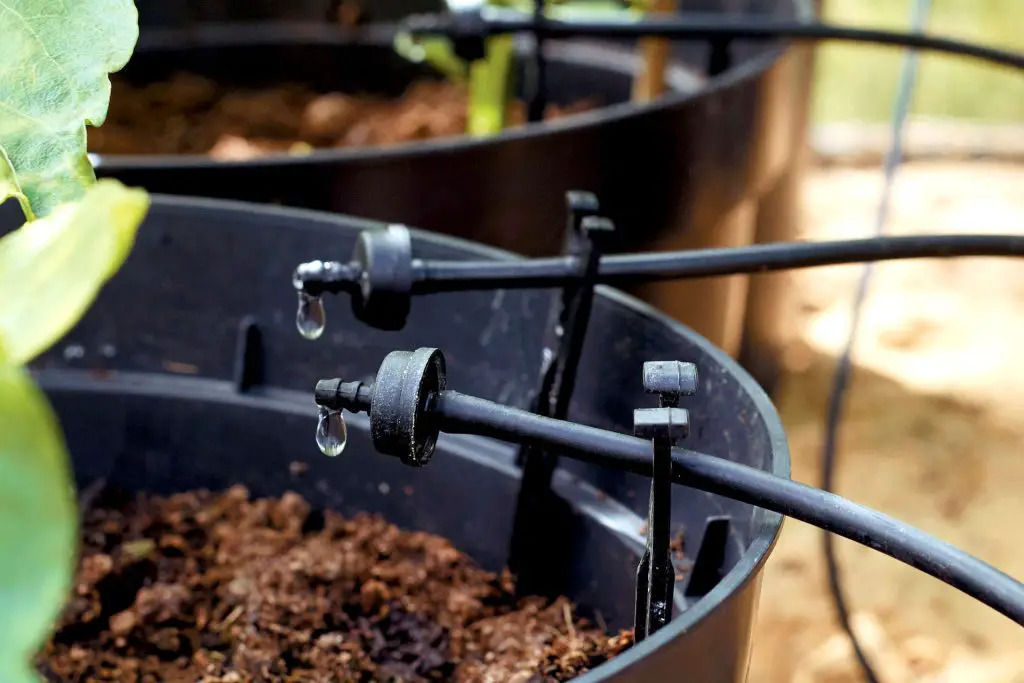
<point x="689" y="172"/>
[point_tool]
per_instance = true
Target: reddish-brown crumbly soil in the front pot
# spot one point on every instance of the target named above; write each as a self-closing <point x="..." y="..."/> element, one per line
<point x="211" y="588"/>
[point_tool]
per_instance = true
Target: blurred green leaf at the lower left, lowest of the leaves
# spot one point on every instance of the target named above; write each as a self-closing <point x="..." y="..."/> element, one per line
<point x="38" y="524"/>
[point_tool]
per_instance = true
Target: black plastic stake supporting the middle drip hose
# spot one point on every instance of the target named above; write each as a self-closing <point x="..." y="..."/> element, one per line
<point x="534" y="536"/>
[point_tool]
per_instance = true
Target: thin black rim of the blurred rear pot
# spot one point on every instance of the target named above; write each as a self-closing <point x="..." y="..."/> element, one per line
<point x="583" y="53"/>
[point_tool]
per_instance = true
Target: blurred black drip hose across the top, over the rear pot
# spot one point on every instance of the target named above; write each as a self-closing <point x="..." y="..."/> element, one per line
<point x="698" y="26"/>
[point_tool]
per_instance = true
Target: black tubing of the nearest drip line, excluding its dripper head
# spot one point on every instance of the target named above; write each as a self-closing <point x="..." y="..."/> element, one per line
<point x="458" y="413"/>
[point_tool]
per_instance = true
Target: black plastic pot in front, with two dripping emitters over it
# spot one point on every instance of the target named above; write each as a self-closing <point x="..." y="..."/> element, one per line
<point x="189" y="373"/>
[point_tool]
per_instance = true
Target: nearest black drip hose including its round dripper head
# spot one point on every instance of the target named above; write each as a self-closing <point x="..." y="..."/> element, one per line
<point x="455" y="413"/>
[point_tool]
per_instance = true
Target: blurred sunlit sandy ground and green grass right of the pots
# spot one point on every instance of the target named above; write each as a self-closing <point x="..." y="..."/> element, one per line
<point x="934" y="428"/>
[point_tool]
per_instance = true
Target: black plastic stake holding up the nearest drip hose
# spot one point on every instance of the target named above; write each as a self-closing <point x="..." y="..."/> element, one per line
<point x="665" y="425"/>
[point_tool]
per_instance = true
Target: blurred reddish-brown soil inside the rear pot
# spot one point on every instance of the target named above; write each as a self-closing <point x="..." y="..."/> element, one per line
<point x="192" y="115"/>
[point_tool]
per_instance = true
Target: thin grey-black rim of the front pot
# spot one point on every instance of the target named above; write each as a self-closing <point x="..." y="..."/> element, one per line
<point x="767" y="525"/>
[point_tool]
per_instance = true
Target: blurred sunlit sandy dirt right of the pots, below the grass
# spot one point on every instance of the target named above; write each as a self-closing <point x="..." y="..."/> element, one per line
<point x="934" y="433"/>
